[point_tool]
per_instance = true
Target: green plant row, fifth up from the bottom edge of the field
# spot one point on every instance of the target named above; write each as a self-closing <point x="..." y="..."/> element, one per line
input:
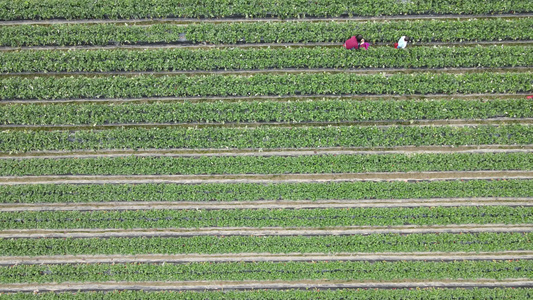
<point x="74" y="193"/>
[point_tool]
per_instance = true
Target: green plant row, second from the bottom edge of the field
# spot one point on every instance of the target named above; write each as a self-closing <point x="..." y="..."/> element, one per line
<point x="334" y="270"/>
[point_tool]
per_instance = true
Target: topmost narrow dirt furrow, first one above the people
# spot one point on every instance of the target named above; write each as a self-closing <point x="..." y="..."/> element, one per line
<point x="253" y="20"/>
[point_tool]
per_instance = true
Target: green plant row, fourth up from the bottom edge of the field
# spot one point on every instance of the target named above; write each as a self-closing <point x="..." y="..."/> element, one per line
<point x="261" y="218"/>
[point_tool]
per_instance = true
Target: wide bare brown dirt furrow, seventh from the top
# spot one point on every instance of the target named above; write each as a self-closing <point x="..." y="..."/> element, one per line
<point x="264" y="178"/>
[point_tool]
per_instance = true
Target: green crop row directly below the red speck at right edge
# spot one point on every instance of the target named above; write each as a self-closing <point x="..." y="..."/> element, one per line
<point x="331" y="110"/>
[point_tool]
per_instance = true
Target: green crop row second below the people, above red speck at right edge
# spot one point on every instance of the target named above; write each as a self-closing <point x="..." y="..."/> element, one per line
<point x="91" y="87"/>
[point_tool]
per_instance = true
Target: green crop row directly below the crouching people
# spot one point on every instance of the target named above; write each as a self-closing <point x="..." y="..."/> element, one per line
<point x="261" y="58"/>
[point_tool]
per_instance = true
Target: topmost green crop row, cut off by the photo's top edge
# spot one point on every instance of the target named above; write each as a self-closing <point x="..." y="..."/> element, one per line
<point x="86" y="9"/>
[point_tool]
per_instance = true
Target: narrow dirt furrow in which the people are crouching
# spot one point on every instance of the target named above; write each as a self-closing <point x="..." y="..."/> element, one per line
<point x="255" y="45"/>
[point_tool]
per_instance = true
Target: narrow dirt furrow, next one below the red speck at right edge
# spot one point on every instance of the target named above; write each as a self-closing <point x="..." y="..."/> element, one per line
<point x="420" y="123"/>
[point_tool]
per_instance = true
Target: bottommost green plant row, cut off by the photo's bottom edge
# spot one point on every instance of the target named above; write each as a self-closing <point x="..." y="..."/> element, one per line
<point x="355" y="294"/>
